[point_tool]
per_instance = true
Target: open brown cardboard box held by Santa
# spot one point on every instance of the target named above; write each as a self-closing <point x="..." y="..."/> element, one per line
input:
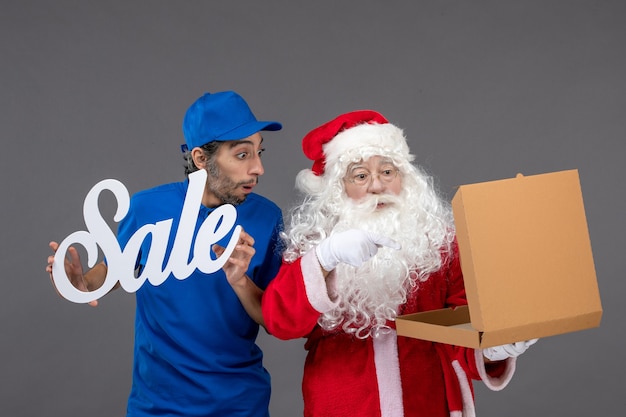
<point x="527" y="264"/>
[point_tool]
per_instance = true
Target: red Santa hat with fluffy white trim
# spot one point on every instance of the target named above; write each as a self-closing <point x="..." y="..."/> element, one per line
<point x="361" y="132"/>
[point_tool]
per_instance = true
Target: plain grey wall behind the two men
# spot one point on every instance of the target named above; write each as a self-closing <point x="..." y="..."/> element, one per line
<point x="484" y="90"/>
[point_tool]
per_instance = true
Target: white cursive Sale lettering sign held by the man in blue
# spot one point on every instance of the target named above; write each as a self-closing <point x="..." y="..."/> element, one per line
<point x="121" y="263"/>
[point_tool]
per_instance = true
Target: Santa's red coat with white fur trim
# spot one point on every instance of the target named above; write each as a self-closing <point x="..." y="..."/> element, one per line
<point x="388" y="375"/>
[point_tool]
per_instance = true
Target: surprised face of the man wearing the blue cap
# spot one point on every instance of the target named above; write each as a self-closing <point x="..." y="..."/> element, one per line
<point x="235" y="171"/>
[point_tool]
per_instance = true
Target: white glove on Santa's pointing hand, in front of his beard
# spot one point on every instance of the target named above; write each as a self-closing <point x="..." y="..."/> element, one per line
<point x="353" y="247"/>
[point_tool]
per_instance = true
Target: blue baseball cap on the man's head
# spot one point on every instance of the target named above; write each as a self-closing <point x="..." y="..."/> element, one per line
<point x="219" y="117"/>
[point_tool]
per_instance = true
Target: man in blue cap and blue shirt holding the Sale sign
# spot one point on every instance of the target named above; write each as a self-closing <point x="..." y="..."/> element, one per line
<point x="195" y="351"/>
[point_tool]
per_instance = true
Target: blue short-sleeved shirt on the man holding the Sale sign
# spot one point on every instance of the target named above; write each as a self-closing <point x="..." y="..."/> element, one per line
<point x="195" y="351"/>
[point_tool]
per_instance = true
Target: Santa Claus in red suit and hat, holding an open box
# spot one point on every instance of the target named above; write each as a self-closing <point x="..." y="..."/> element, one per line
<point x="370" y="241"/>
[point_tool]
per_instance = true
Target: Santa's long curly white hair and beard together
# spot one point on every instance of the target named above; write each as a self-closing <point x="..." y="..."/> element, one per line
<point x="417" y="218"/>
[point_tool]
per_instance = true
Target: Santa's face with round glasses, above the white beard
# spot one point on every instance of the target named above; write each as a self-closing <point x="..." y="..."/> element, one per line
<point x="377" y="175"/>
